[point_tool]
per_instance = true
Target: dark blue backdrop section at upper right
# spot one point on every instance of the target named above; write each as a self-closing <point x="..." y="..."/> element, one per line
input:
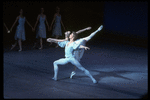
<point x="130" y="18"/>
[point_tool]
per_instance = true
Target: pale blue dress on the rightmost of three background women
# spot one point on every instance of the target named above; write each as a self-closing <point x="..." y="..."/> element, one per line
<point x="57" y="27"/>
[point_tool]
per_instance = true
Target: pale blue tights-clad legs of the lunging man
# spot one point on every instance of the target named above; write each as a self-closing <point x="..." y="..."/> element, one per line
<point x="73" y="61"/>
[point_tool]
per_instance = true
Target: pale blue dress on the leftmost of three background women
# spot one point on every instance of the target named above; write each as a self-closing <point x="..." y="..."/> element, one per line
<point x="20" y="31"/>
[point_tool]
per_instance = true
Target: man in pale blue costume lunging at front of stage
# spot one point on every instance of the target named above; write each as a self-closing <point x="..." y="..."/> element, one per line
<point x="70" y="46"/>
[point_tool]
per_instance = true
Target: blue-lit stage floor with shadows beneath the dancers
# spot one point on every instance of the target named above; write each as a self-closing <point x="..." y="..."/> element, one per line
<point x="121" y="72"/>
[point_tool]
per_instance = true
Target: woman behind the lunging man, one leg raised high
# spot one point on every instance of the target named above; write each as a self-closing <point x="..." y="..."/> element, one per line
<point x="79" y="52"/>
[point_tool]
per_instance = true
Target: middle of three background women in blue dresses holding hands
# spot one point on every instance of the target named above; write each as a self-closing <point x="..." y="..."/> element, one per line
<point x="41" y="29"/>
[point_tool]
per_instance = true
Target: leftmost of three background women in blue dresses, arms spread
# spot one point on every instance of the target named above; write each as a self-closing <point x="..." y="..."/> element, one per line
<point x="20" y="32"/>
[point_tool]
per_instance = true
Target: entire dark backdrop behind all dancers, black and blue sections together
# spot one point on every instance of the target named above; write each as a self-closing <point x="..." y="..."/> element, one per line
<point x="124" y="22"/>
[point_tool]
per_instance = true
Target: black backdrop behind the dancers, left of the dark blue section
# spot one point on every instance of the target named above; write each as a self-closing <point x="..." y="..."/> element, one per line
<point x="75" y="16"/>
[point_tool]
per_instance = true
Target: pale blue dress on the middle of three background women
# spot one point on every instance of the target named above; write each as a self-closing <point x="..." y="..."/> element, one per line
<point x="41" y="29"/>
